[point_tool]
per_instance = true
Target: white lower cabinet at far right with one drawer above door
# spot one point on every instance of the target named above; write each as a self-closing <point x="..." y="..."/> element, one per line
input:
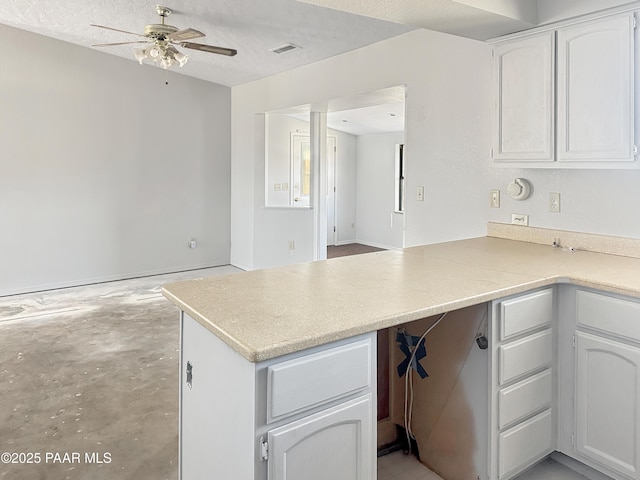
<point x="607" y="382"/>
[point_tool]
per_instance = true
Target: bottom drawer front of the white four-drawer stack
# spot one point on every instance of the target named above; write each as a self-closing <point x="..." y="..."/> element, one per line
<point x="525" y="444"/>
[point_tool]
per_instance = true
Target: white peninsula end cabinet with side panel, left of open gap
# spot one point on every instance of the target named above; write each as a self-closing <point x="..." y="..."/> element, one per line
<point x="308" y="415"/>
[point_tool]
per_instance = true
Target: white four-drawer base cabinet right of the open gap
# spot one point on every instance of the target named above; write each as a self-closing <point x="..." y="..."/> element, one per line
<point x="522" y="382"/>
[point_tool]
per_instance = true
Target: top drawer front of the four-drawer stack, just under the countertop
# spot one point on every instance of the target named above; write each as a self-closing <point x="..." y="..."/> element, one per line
<point x="525" y="313"/>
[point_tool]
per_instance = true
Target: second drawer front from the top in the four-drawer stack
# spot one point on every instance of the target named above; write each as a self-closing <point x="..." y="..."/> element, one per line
<point x="525" y="356"/>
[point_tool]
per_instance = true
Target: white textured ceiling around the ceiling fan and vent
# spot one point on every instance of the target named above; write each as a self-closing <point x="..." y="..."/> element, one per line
<point x="250" y="26"/>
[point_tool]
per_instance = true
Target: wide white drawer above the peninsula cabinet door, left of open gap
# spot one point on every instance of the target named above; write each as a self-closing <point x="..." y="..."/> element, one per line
<point x="305" y="382"/>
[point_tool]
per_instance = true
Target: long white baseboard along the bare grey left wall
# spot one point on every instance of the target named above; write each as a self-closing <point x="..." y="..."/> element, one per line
<point x="103" y="279"/>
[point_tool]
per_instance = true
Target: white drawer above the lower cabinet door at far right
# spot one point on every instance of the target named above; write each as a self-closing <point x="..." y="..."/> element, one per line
<point x="609" y="314"/>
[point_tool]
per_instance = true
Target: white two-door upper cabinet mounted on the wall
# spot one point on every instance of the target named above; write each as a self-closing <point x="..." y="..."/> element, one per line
<point x="564" y="97"/>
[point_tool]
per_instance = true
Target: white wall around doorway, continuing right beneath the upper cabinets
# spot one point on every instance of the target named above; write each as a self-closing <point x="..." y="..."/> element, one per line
<point x="447" y="150"/>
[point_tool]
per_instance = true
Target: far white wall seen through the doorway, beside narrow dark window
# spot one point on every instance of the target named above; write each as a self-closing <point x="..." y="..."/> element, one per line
<point x="377" y="223"/>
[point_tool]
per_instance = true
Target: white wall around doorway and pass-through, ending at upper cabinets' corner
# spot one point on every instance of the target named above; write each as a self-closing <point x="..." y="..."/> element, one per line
<point x="447" y="137"/>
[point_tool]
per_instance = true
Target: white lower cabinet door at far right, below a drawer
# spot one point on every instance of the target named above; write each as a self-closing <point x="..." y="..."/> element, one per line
<point x="607" y="403"/>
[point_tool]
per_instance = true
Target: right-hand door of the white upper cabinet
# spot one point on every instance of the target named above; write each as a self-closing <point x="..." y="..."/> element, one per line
<point x="595" y="91"/>
